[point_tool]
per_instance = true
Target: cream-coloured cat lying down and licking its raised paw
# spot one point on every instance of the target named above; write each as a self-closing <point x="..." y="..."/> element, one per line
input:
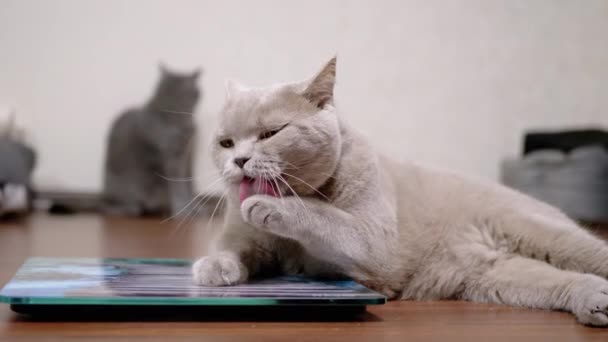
<point x="407" y="231"/>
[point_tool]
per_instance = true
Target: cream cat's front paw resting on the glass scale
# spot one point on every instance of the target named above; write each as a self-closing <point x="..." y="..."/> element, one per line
<point x="219" y="270"/>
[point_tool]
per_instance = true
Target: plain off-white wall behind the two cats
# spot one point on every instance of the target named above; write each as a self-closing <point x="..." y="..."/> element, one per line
<point x="450" y="83"/>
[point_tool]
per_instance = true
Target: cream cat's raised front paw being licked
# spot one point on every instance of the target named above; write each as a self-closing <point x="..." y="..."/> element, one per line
<point x="263" y="212"/>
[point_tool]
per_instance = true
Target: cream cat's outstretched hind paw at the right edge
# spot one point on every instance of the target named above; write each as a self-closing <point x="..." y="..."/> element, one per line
<point x="591" y="303"/>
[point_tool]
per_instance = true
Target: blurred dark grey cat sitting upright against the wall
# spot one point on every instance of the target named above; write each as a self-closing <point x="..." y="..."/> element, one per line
<point x="148" y="166"/>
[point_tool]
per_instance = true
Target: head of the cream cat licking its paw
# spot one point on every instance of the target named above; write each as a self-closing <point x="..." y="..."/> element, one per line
<point x="288" y="133"/>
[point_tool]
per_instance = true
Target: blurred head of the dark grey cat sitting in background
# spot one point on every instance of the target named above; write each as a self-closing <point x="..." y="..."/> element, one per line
<point x="177" y="91"/>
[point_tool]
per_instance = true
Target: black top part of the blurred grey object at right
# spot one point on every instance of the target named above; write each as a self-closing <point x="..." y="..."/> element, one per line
<point x="564" y="141"/>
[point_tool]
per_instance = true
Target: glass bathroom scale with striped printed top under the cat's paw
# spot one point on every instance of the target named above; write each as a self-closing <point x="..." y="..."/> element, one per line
<point x="53" y="284"/>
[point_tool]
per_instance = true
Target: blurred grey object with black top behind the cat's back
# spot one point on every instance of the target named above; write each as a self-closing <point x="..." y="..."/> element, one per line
<point x="568" y="169"/>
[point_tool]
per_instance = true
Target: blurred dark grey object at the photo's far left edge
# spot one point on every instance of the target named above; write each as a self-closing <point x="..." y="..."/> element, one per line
<point x="17" y="162"/>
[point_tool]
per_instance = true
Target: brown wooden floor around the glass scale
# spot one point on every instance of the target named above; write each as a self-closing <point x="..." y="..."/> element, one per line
<point x="90" y="236"/>
